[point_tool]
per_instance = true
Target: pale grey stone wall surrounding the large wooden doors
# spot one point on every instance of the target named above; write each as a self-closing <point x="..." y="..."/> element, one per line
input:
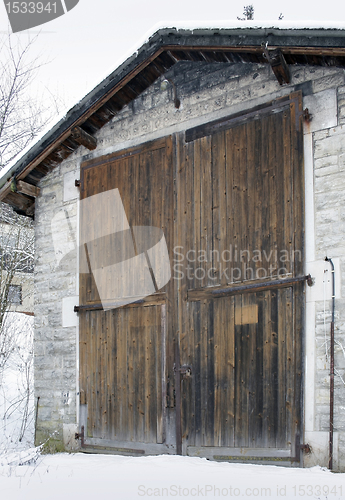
<point x="207" y="92"/>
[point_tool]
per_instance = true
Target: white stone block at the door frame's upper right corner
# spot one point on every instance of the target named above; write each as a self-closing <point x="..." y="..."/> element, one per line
<point x="323" y="108"/>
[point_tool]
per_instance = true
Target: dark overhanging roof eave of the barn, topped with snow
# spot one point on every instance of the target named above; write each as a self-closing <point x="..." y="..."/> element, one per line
<point x="237" y="38"/>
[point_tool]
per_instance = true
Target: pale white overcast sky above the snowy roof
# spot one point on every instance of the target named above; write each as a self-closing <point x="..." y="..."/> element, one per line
<point x="85" y="44"/>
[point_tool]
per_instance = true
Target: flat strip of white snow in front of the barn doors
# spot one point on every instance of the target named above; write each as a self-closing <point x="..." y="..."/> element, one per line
<point x="82" y="476"/>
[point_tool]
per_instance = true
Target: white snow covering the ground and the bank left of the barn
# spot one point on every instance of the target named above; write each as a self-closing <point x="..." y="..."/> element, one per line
<point x="26" y="474"/>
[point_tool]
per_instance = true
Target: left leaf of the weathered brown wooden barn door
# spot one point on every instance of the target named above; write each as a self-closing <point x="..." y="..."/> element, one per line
<point x="123" y="348"/>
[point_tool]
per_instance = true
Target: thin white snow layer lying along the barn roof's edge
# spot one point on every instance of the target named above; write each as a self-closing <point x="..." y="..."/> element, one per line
<point x="189" y="27"/>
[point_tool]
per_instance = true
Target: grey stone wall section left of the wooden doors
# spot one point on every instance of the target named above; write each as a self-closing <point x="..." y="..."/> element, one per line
<point x="55" y="345"/>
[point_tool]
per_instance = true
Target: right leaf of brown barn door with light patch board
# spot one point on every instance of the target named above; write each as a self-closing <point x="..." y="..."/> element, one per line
<point x="240" y="239"/>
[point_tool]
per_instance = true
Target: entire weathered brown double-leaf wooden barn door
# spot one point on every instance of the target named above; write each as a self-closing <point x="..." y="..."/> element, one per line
<point x="217" y="352"/>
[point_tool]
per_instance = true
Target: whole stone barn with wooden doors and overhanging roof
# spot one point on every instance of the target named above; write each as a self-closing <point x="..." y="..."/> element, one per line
<point x="230" y="145"/>
